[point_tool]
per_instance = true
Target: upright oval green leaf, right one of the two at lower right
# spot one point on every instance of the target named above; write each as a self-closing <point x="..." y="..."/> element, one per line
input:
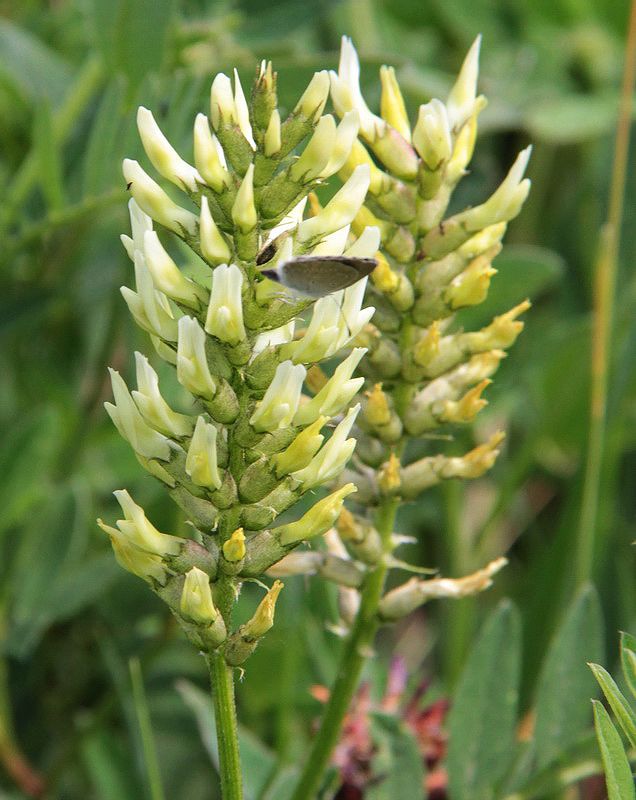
<point x="565" y="683"/>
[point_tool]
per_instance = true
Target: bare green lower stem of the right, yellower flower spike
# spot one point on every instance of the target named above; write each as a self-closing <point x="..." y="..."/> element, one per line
<point x="357" y="649"/>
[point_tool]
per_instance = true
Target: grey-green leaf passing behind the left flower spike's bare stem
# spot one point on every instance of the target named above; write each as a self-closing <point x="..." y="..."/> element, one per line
<point x="257" y="760"/>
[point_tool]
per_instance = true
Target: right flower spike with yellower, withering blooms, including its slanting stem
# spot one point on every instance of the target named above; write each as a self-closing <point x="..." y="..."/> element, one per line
<point x="423" y="372"/>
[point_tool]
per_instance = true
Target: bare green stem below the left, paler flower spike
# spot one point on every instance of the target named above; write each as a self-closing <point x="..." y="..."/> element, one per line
<point x="222" y="680"/>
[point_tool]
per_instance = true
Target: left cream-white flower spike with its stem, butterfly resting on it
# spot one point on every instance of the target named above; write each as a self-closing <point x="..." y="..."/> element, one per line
<point x="249" y="445"/>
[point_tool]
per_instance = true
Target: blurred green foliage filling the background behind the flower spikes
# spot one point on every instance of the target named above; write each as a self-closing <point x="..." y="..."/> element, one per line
<point x="71" y="76"/>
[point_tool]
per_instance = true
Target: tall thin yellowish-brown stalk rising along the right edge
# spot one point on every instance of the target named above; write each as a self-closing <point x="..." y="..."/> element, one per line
<point x="604" y="295"/>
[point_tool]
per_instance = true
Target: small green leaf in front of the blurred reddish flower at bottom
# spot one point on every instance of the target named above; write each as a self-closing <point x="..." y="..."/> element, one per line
<point x="398" y="760"/>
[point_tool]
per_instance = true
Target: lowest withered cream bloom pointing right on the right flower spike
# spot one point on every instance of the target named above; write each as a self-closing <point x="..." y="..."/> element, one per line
<point x="414" y="593"/>
